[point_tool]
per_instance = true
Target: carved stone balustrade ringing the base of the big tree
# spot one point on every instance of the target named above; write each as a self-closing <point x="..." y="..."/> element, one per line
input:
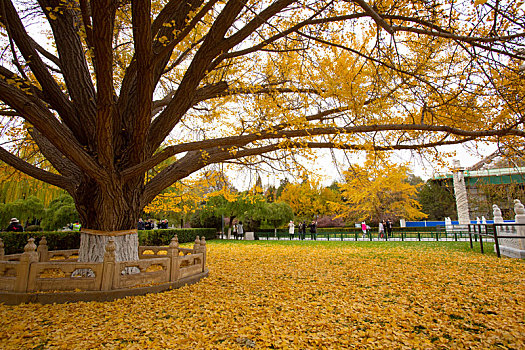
<point x="43" y="276"/>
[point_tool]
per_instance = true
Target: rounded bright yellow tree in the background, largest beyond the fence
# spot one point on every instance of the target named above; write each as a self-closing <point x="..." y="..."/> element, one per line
<point x="375" y="192"/>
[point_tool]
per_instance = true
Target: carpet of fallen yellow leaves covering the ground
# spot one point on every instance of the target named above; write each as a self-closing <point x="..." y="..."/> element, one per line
<point x="296" y="296"/>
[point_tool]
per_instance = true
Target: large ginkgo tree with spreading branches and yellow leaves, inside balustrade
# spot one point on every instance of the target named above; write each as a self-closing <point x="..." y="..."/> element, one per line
<point x="122" y="86"/>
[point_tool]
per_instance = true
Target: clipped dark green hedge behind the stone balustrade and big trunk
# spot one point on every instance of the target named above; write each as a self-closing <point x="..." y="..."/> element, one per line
<point x="14" y="242"/>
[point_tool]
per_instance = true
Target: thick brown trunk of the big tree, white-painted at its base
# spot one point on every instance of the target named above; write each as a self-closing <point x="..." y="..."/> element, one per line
<point x="108" y="212"/>
